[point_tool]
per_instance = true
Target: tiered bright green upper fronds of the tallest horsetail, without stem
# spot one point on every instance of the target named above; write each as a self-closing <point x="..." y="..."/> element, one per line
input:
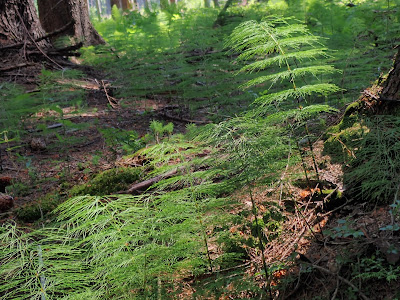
<point x="275" y="41"/>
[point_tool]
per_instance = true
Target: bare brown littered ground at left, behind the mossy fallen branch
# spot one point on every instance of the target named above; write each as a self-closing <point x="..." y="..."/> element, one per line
<point x="42" y="164"/>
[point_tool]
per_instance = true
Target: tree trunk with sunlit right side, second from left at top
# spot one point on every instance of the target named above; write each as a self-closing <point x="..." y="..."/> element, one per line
<point x="56" y="14"/>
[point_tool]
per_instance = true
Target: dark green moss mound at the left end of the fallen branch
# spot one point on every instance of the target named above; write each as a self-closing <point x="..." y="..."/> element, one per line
<point x="108" y="182"/>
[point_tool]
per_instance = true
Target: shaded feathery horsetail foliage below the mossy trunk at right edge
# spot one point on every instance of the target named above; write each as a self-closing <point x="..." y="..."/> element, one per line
<point x="374" y="172"/>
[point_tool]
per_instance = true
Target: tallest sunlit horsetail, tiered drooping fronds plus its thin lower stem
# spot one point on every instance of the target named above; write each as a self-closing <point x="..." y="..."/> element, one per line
<point x="275" y="43"/>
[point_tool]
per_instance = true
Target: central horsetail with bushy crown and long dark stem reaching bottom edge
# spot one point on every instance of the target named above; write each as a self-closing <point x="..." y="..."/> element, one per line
<point x="250" y="153"/>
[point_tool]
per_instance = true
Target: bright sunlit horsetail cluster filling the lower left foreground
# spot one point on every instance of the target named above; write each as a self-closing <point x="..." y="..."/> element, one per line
<point x="122" y="244"/>
